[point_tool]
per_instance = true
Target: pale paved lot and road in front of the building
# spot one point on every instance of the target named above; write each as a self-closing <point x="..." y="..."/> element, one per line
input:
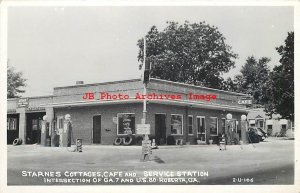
<point x="270" y="162"/>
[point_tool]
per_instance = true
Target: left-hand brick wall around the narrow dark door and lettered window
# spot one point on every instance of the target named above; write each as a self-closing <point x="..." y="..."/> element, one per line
<point x="82" y="120"/>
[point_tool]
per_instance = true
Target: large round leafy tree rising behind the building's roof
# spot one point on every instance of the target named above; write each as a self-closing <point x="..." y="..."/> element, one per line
<point x="189" y="53"/>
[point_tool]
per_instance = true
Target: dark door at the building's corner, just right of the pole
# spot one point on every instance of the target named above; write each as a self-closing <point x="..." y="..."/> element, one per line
<point x="160" y="129"/>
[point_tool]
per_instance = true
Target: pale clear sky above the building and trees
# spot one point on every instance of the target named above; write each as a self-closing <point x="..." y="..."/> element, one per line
<point x="57" y="46"/>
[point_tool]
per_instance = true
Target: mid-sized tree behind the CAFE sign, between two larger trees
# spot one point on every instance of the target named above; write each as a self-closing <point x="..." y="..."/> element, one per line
<point x="253" y="78"/>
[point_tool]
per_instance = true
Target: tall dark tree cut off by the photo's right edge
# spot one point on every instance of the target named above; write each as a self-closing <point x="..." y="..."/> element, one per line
<point x="280" y="90"/>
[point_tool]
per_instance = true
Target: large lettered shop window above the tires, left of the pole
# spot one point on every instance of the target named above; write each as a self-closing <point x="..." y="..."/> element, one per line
<point x="126" y="124"/>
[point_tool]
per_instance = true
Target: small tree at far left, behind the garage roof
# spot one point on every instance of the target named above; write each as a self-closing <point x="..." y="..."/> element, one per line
<point x="15" y="81"/>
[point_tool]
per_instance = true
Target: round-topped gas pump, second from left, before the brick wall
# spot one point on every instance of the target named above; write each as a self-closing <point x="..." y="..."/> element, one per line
<point x="65" y="133"/>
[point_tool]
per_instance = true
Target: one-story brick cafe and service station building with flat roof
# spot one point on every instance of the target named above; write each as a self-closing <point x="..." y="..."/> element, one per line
<point x="102" y="112"/>
